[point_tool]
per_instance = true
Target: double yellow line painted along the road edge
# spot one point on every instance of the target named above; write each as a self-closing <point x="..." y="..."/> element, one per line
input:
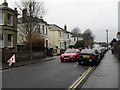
<point x="80" y="79"/>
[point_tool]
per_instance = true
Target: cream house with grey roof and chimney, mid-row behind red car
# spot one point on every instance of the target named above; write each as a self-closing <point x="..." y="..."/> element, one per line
<point x="59" y="37"/>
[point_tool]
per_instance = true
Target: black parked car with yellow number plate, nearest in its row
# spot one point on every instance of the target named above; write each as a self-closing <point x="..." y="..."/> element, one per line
<point x="89" y="56"/>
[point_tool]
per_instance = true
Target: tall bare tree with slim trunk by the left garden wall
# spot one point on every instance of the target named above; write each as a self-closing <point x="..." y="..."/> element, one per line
<point x="32" y="11"/>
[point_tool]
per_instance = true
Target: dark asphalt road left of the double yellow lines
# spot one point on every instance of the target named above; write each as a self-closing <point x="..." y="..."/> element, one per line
<point x="49" y="74"/>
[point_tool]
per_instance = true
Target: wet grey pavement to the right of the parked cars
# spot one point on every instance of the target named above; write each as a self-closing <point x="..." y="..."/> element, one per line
<point x="105" y="75"/>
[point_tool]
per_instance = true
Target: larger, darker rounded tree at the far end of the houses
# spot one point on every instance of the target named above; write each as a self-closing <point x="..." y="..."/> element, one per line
<point x="88" y="38"/>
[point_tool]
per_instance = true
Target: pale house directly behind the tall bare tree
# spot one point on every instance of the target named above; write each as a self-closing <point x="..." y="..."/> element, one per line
<point x="41" y="29"/>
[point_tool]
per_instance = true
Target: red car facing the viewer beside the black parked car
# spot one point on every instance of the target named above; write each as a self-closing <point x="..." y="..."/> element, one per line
<point x="70" y="55"/>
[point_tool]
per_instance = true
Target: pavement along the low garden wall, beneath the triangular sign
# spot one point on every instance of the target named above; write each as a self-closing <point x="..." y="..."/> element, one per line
<point x="26" y="62"/>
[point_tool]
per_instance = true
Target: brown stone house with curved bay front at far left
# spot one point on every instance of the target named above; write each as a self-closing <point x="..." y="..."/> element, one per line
<point x="8" y="27"/>
